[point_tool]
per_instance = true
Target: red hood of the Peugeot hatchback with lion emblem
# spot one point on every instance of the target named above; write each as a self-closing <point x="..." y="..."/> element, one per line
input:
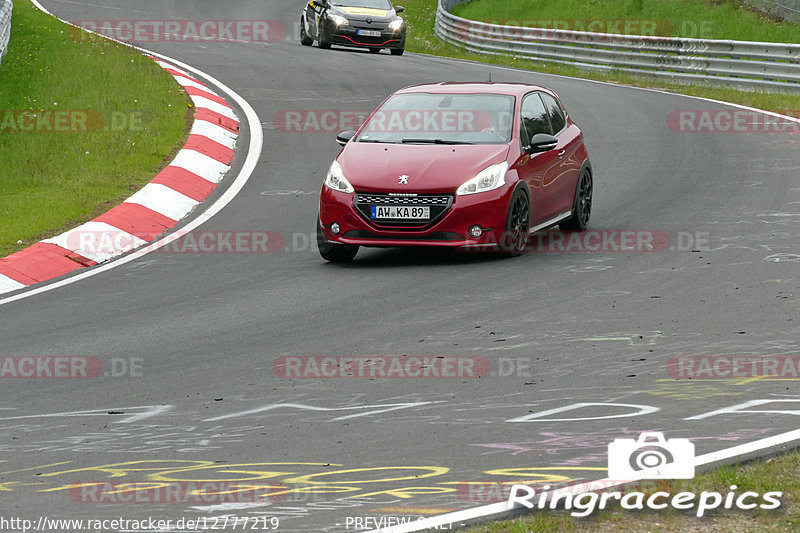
<point x="440" y="168"/>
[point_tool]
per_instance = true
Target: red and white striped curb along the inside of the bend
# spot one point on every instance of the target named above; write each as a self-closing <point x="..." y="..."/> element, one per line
<point x="169" y="197"/>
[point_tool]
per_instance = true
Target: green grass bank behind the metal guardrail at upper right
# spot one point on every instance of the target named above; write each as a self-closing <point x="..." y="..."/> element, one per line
<point x="700" y="19"/>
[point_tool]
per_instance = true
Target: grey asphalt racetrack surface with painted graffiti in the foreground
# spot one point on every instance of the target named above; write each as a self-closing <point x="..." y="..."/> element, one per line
<point x="578" y="341"/>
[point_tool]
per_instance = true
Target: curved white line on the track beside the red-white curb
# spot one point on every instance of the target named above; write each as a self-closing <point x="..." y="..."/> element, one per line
<point x="253" y="154"/>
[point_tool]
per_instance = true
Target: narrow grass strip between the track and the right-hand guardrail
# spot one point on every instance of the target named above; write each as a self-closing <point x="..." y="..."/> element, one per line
<point x="420" y="16"/>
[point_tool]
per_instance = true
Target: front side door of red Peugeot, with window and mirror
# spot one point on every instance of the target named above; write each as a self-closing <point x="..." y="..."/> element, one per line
<point x="537" y="170"/>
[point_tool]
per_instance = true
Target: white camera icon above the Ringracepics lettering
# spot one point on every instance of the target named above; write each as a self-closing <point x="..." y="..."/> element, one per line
<point x="651" y="457"/>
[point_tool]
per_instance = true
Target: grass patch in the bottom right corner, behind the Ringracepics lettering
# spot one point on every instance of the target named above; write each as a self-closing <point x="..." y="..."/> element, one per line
<point x="781" y="473"/>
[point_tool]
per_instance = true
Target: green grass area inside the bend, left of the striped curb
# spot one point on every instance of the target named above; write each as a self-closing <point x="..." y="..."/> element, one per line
<point x="50" y="180"/>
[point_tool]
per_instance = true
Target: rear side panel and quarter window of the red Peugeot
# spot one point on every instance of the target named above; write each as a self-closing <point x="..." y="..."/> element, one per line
<point x="563" y="179"/>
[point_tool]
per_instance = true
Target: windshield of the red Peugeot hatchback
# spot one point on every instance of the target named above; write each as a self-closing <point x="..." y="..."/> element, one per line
<point x="441" y="118"/>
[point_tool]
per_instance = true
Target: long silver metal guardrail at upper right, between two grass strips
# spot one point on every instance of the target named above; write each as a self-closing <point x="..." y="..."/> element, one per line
<point x="744" y="64"/>
